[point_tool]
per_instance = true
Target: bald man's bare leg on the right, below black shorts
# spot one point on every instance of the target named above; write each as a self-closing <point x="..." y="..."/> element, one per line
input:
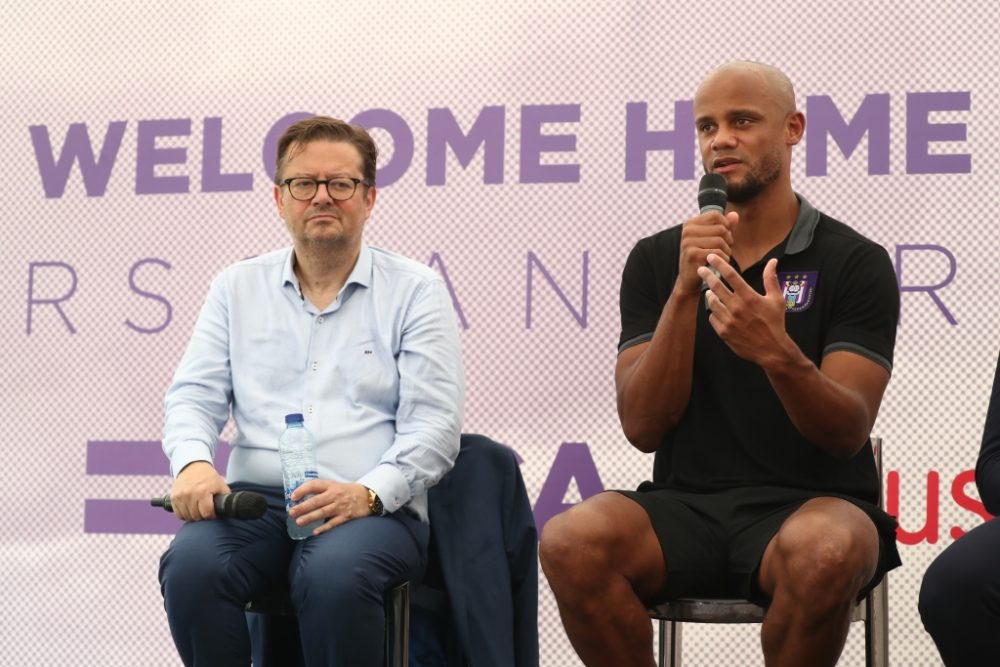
<point x="813" y="568"/>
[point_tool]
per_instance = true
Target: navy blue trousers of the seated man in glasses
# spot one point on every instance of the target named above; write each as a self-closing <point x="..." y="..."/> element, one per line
<point x="337" y="581"/>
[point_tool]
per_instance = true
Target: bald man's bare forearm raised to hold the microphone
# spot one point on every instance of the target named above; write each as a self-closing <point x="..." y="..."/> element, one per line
<point x="653" y="389"/>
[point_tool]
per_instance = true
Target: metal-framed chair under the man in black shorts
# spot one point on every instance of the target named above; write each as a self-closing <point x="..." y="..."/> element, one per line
<point x="873" y="611"/>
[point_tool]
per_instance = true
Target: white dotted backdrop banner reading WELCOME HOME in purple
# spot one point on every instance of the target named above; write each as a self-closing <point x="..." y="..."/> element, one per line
<point x="525" y="148"/>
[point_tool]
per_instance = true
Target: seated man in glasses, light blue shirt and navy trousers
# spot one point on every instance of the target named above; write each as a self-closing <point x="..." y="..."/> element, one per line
<point x="364" y="343"/>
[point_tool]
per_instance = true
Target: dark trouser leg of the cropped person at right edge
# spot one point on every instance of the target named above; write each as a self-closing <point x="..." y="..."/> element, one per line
<point x="960" y="598"/>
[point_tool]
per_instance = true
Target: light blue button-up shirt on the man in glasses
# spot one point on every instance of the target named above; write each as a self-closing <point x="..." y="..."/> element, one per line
<point x="377" y="375"/>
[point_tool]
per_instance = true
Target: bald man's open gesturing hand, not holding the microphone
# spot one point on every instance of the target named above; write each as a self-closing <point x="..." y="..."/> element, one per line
<point x="751" y="324"/>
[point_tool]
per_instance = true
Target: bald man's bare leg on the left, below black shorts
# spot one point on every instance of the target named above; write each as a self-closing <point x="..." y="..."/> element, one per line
<point x="602" y="559"/>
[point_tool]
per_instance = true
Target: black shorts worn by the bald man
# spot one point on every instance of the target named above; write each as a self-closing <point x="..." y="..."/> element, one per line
<point x="713" y="541"/>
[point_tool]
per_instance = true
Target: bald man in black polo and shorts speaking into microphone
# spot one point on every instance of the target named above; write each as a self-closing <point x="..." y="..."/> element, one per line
<point x="757" y="396"/>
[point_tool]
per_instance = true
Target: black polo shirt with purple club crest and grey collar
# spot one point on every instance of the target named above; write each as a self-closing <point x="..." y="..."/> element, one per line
<point x="841" y="294"/>
